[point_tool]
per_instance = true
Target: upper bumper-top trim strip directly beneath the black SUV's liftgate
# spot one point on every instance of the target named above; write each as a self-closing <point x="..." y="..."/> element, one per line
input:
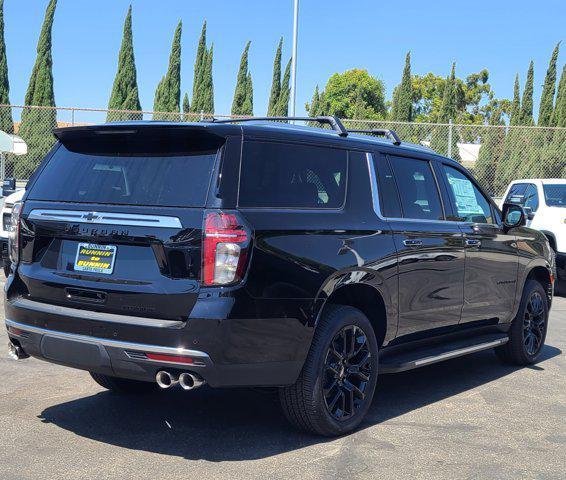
<point x="26" y="304"/>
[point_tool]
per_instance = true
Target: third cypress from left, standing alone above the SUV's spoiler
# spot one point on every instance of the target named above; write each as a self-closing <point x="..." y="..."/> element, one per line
<point x="125" y="94"/>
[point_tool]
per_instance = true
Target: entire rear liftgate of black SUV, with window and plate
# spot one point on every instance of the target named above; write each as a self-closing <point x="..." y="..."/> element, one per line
<point x="113" y="221"/>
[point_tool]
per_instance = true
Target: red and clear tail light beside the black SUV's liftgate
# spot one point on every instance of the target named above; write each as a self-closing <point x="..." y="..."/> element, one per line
<point x="224" y="249"/>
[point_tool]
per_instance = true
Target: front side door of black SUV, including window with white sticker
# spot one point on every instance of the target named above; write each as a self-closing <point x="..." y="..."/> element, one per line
<point x="491" y="253"/>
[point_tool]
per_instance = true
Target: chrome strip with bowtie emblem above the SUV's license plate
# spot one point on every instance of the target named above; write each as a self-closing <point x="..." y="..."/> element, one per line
<point x="106" y="218"/>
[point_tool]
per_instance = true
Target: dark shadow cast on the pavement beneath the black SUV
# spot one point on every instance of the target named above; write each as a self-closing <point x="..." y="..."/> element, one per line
<point x="244" y="424"/>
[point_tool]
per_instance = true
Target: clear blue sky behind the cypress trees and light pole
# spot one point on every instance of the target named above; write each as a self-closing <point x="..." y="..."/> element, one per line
<point x="334" y="36"/>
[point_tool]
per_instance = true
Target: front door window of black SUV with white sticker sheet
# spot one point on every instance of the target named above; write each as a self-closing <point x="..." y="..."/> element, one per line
<point x="471" y="205"/>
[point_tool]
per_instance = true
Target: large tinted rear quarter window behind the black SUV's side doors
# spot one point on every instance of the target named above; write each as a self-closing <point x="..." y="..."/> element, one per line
<point x="281" y="175"/>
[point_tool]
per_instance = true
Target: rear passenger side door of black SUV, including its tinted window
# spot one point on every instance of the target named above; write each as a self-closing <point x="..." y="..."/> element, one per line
<point x="430" y="248"/>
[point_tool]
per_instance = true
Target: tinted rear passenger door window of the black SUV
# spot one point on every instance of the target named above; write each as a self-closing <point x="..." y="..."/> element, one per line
<point x="417" y="188"/>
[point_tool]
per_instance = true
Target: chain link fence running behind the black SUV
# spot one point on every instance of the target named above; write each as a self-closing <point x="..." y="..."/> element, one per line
<point x="495" y="154"/>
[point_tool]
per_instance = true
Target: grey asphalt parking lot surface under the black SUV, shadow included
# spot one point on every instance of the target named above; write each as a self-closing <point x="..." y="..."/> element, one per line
<point x="467" y="418"/>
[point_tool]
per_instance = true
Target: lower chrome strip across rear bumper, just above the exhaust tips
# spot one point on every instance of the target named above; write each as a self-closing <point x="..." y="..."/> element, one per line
<point x="108" y="342"/>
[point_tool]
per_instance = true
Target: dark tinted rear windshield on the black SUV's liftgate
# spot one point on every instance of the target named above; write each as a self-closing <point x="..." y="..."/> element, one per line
<point x="179" y="180"/>
